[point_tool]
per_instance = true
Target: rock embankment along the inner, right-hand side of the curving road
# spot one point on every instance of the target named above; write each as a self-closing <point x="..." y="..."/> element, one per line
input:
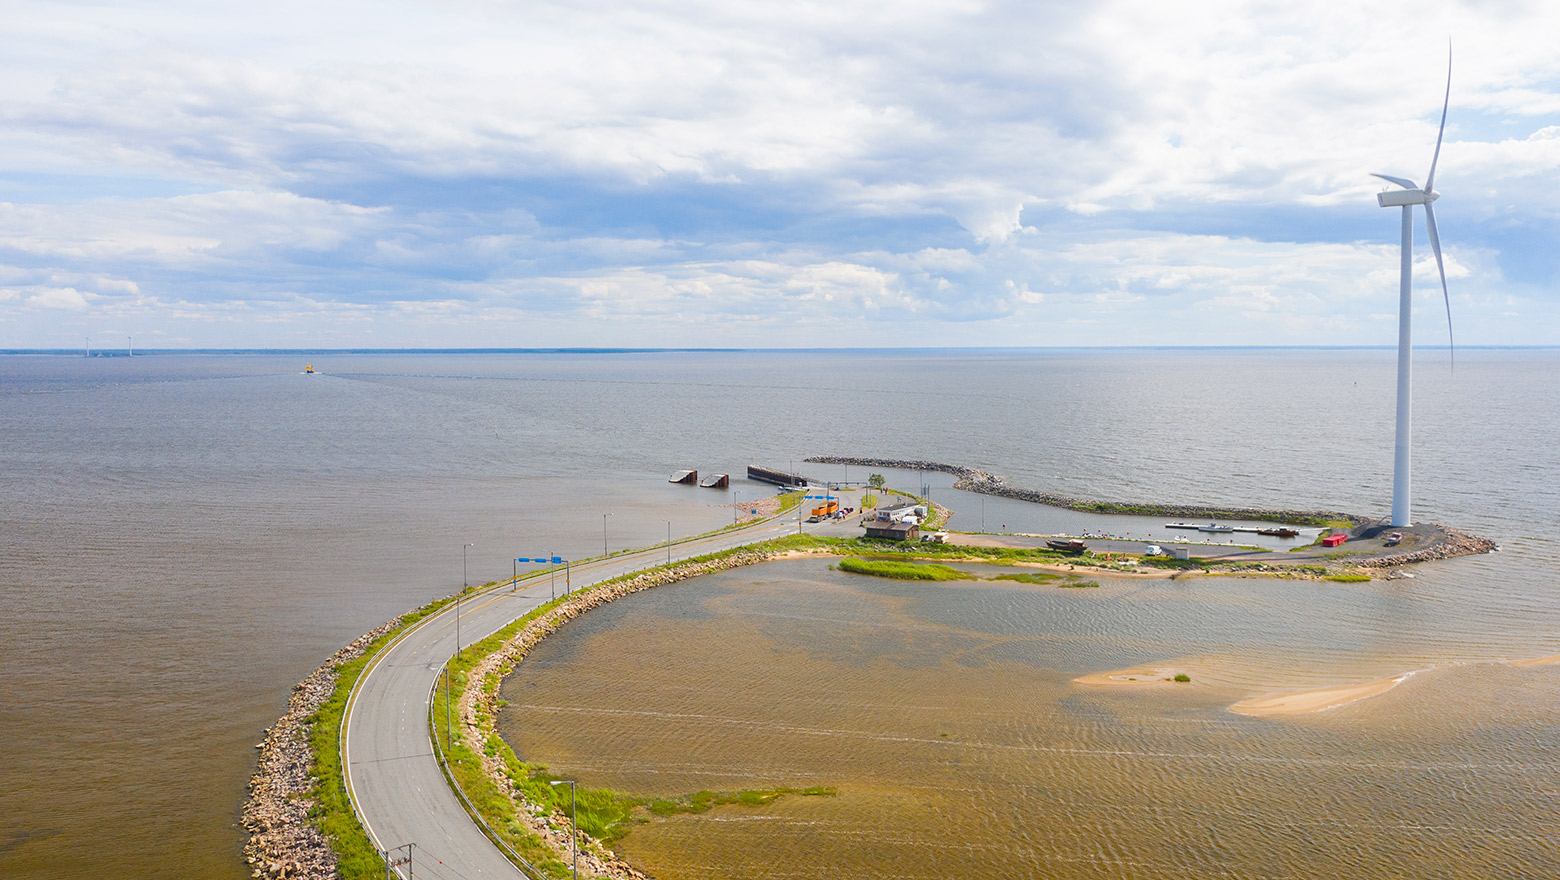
<point x="478" y="706"/>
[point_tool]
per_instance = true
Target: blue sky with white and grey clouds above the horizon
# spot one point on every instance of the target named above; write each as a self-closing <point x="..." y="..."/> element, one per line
<point x="779" y="174"/>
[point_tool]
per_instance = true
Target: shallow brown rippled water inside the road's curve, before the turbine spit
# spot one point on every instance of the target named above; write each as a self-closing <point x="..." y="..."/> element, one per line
<point x="948" y="720"/>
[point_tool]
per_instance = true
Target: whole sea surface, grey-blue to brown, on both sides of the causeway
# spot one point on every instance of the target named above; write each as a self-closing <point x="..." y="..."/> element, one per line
<point x="185" y="538"/>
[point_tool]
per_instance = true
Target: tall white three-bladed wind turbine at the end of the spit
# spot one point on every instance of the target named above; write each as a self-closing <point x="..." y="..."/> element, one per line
<point x="1408" y="197"/>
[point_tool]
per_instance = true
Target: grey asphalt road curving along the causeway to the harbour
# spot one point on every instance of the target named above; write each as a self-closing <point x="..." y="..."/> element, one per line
<point x="389" y="759"/>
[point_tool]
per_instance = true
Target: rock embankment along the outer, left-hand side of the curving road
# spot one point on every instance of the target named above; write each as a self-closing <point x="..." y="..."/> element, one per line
<point x="283" y="842"/>
